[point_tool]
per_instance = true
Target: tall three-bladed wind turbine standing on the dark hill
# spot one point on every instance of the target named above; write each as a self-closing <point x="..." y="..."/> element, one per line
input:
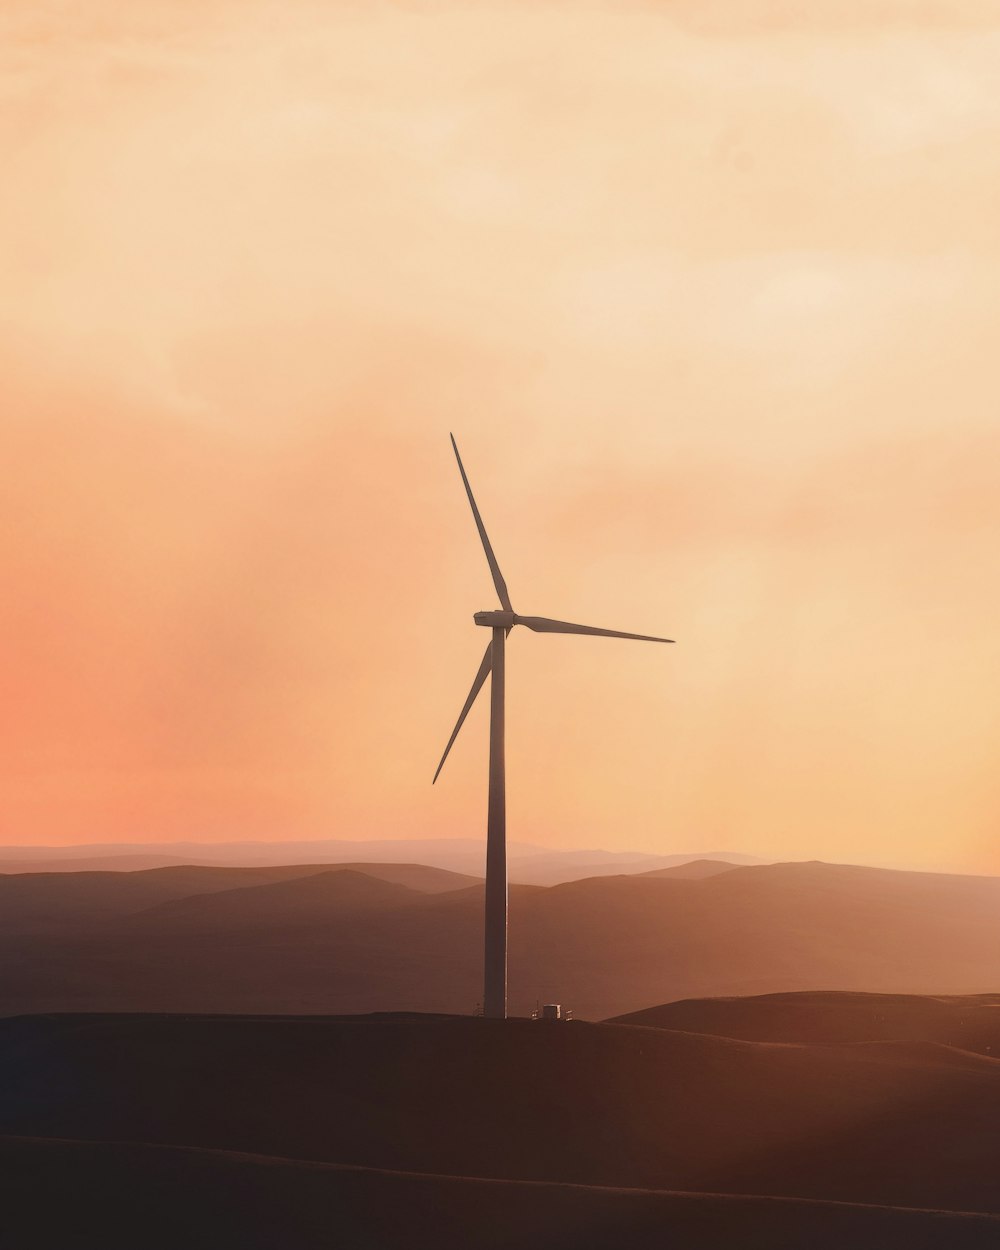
<point x="502" y="623"/>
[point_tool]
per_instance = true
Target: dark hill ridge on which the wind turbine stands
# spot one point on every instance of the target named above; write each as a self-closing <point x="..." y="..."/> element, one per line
<point x="893" y="1124"/>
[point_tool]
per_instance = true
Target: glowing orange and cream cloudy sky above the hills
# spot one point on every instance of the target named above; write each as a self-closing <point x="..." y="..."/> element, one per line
<point x="708" y="294"/>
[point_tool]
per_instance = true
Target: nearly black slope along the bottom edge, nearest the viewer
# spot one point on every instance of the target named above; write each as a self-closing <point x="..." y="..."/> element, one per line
<point x="118" y="1197"/>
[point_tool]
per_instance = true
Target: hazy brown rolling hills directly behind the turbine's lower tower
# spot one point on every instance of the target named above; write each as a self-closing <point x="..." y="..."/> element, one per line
<point x="369" y="938"/>
